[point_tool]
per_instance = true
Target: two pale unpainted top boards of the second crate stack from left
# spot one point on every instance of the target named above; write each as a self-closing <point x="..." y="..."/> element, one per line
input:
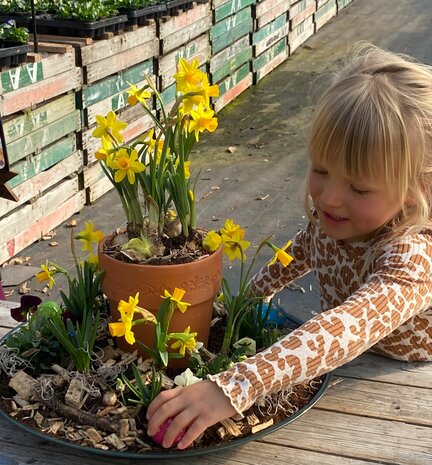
<point x="119" y="53"/>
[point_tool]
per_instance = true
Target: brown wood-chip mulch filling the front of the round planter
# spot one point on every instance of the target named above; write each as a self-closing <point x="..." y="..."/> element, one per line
<point x="90" y="411"/>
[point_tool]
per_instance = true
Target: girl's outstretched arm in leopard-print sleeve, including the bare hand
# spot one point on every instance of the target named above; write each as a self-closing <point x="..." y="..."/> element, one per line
<point x="399" y="288"/>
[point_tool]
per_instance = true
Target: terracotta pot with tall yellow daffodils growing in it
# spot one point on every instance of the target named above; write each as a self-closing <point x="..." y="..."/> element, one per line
<point x="161" y="247"/>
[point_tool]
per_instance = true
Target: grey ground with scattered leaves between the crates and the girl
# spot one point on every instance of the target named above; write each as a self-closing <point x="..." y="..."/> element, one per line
<point x="259" y="184"/>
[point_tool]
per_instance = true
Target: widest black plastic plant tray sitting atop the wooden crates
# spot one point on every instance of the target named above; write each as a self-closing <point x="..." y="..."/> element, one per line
<point x="92" y="29"/>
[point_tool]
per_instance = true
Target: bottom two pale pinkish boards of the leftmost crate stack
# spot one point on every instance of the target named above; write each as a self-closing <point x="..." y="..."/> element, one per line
<point x="29" y="223"/>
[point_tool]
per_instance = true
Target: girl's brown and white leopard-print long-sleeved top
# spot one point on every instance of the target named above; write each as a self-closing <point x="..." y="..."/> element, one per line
<point x="390" y="309"/>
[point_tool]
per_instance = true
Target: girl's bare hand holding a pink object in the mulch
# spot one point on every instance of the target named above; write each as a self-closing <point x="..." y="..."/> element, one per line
<point x="193" y="409"/>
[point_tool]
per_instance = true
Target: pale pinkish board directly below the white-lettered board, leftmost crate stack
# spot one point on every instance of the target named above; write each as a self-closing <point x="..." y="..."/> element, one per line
<point x="42" y="91"/>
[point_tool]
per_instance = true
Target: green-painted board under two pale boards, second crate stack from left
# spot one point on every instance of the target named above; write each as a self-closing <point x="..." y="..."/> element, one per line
<point x="112" y="85"/>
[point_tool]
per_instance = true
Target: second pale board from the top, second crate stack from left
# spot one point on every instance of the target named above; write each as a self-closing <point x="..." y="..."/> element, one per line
<point x="122" y="61"/>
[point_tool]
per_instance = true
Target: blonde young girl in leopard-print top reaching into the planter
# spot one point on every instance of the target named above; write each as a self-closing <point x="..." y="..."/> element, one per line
<point x="369" y="242"/>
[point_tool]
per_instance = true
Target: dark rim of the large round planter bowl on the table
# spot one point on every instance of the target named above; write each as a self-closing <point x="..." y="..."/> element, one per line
<point x="174" y="453"/>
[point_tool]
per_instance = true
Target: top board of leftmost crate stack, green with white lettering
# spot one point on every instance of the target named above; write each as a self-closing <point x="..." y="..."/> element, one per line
<point x="32" y="73"/>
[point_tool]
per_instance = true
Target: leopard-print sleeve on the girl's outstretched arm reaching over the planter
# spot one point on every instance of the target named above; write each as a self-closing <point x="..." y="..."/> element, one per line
<point x="399" y="287"/>
